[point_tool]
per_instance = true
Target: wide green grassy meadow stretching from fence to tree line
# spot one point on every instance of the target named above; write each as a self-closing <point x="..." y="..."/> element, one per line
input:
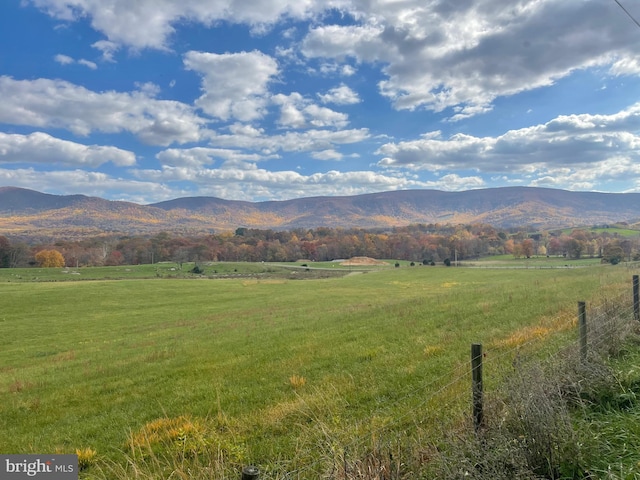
<point x="263" y="369"/>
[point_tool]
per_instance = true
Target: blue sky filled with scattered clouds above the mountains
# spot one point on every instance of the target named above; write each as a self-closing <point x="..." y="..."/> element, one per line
<point x="256" y="100"/>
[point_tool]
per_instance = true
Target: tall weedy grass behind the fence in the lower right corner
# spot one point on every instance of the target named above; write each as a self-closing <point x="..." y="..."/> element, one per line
<point x="566" y="416"/>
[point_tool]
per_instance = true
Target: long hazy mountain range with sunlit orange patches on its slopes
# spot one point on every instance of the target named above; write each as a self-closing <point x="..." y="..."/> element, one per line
<point x="28" y="213"/>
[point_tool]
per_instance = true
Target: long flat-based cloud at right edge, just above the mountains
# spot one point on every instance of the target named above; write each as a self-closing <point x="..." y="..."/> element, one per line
<point x="568" y="150"/>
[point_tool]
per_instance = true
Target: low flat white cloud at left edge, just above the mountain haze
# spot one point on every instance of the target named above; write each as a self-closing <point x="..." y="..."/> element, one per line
<point x="44" y="149"/>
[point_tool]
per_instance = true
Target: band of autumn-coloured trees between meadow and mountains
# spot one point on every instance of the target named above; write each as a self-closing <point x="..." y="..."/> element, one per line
<point x="433" y="243"/>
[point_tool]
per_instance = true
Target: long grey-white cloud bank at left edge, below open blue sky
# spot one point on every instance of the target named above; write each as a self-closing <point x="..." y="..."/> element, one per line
<point x="60" y="104"/>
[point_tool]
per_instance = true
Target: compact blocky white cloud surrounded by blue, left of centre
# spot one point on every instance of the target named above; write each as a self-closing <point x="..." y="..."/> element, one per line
<point x="235" y="85"/>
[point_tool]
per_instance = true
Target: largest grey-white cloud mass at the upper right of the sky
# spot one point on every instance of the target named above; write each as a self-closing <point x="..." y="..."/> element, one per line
<point x="438" y="57"/>
